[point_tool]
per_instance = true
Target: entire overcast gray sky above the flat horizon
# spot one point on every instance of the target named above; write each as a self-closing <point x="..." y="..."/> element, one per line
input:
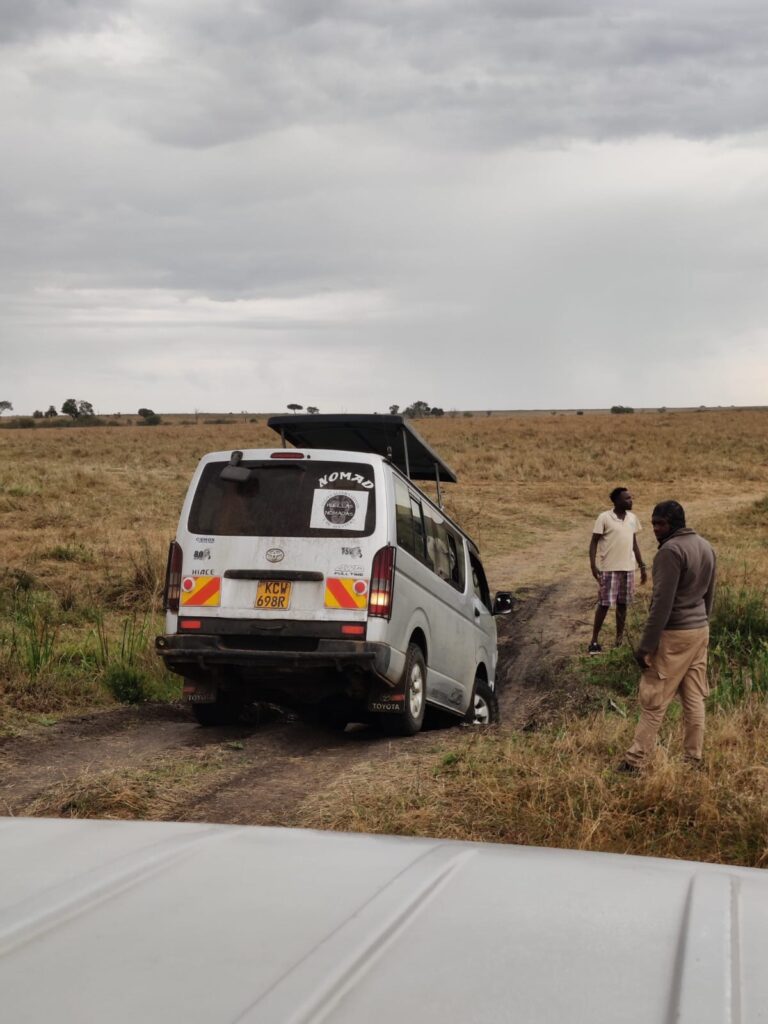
<point x="233" y="205"/>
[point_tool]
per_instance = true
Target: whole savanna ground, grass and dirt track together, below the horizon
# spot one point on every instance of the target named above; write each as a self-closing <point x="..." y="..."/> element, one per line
<point x="92" y="726"/>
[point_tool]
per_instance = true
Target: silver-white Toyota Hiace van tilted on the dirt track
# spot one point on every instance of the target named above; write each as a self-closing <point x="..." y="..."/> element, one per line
<point x="320" y="577"/>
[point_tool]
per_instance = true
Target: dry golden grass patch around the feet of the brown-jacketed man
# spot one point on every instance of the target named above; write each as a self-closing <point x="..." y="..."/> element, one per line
<point x="557" y="788"/>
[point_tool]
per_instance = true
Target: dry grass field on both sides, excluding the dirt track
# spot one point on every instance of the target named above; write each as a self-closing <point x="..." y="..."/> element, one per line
<point x="88" y="515"/>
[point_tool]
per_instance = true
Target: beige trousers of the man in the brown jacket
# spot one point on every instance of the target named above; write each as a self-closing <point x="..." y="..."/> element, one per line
<point x="677" y="668"/>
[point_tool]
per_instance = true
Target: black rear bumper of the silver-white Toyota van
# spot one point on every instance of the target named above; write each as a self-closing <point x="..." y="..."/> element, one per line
<point x="183" y="653"/>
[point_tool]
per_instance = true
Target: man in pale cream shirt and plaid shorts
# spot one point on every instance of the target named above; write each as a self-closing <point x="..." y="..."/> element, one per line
<point x="614" y="557"/>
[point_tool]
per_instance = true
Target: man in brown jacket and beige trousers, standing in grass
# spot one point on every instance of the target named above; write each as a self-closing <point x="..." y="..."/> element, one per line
<point x="673" y="648"/>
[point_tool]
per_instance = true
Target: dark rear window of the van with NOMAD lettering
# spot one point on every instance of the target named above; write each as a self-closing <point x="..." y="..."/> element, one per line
<point x="280" y="499"/>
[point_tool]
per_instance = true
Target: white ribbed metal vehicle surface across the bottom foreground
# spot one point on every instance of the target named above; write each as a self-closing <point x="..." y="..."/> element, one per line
<point x="145" y="922"/>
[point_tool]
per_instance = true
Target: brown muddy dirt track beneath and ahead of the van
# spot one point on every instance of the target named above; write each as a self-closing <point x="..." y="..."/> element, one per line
<point x="267" y="767"/>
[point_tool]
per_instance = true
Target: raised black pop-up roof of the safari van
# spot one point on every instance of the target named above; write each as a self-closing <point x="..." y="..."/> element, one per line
<point x="387" y="436"/>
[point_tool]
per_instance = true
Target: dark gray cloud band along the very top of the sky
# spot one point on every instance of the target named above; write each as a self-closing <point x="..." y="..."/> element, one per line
<point x="211" y="74"/>
